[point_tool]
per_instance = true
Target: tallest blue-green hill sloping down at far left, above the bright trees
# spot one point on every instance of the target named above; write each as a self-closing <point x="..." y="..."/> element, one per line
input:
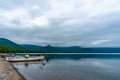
<point x="9" y="44"/>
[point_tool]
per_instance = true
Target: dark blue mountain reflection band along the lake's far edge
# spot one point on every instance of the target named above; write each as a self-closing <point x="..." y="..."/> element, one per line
<point x="81" y="56"/>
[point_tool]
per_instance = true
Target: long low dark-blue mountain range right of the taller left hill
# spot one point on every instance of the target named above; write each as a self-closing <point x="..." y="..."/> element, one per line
<point x="71" y="49"/>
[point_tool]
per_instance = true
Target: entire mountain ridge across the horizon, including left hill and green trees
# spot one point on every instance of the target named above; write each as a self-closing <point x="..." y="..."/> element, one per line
<point x="9" y="46"/>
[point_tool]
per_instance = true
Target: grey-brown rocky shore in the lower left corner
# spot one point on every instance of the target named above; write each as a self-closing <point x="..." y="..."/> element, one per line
<point x="8" y="72"/>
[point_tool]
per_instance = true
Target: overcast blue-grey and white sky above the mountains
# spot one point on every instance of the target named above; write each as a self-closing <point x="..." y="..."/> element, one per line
<point x="85" y="23"/>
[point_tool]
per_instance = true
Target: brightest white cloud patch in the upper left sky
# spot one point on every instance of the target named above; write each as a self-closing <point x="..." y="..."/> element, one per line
<point x="23" y="17"/>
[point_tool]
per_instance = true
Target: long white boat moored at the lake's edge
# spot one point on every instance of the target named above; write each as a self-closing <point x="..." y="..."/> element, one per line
<point x="10" y="59"/>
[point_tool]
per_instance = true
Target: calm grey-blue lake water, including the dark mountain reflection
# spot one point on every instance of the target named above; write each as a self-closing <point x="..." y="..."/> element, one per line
<point x="73" y="67"/>
